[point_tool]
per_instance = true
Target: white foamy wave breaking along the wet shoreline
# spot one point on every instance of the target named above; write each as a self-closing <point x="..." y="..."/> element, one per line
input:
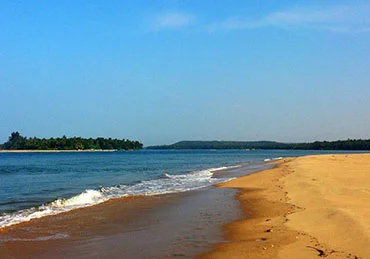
<point x="166" y="184"/>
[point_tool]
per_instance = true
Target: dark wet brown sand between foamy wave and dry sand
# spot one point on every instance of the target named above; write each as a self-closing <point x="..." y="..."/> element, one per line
<point x="164" y="226"/>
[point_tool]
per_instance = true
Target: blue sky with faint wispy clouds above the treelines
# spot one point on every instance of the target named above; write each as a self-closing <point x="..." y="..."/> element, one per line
<point x="164" y="71"/>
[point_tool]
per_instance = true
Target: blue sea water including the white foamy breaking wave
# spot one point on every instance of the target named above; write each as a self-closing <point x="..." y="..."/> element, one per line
<point x="34" y="185"/>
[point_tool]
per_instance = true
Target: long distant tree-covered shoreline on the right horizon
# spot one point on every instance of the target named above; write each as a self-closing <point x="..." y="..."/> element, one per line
<point x="350" y="144"/>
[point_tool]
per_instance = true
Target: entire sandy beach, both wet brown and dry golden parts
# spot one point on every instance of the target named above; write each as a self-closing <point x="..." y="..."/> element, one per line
<point x="304" y="207"/>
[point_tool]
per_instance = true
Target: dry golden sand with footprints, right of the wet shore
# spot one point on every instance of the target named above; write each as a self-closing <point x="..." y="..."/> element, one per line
<point x="306" y="207"/>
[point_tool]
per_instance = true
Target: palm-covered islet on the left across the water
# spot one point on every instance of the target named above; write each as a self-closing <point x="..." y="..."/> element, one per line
<point x="18" y="142"/>
